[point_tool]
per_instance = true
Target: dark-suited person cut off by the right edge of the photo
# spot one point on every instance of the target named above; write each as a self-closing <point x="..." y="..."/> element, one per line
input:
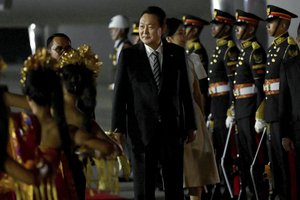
<point x="289" y="110"/>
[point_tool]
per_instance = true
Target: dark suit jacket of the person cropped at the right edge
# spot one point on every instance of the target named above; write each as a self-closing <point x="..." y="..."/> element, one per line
<point x="289" y="96"/>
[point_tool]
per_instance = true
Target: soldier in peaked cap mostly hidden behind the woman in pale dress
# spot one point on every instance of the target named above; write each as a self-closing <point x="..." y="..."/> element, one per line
<point x="193" y="28"/>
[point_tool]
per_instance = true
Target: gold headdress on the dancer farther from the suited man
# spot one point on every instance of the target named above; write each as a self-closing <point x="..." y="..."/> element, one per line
<point x="40" y="59"/>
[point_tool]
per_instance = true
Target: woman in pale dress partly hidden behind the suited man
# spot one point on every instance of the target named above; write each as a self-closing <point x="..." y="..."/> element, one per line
<point x="200" y="166"/>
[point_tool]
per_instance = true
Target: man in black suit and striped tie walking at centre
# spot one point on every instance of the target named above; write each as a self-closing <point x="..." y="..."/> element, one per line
<point x="153" y="105"/>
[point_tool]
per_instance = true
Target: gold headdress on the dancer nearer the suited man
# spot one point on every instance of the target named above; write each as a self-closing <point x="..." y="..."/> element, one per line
<point x="83" y="55"/>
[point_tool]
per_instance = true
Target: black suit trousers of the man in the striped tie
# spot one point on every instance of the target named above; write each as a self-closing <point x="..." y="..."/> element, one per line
<point x="168" y="152"/>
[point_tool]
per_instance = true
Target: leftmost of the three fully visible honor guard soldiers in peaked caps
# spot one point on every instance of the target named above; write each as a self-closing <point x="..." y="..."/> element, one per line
<point x="220" y="77"/>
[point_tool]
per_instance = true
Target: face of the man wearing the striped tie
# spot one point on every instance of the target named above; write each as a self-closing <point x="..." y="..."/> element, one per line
<point x="150" y="30"/>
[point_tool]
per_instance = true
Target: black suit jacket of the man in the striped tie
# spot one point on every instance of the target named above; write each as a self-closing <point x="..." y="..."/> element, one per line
<point x="139" y="109"/>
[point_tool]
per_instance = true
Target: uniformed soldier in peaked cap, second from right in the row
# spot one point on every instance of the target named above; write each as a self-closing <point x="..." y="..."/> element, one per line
<point x="248" y="91"/>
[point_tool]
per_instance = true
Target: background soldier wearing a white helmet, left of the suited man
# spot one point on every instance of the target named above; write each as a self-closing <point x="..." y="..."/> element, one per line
<point x="119" y="28"/>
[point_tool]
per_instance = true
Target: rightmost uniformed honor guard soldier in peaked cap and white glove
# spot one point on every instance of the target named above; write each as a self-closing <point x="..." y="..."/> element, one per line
<point x="282" y="48"/>
